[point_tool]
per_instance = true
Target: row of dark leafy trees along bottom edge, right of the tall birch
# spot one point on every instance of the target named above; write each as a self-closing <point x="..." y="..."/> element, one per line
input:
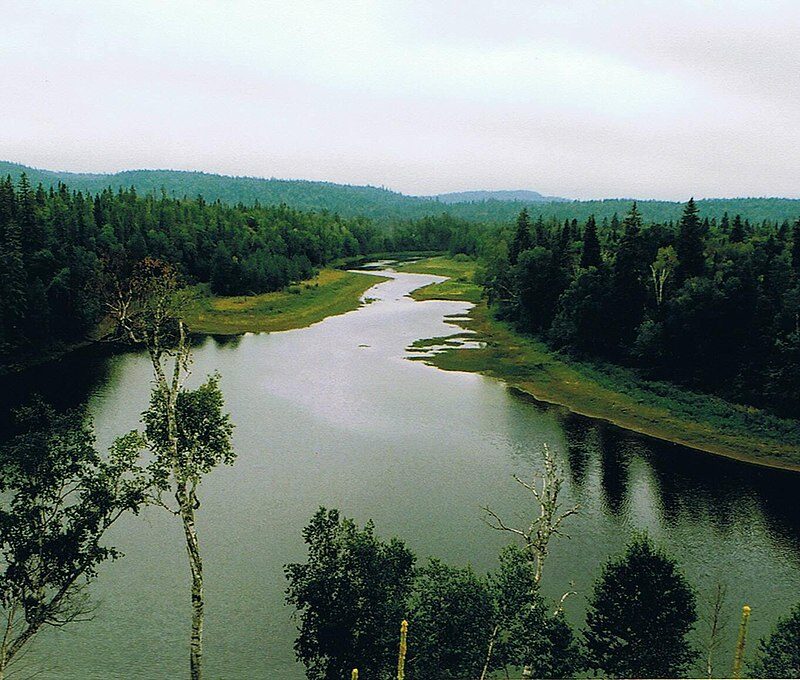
<point x="355" y="589"/>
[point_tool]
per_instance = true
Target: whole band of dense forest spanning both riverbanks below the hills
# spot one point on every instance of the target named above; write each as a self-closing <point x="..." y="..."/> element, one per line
<point x="710" y="303"/>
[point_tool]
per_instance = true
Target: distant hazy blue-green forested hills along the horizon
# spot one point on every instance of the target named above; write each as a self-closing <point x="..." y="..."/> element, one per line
<point x="383" y="205"/>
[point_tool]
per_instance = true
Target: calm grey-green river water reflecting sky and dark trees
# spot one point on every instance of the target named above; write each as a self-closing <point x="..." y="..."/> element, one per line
<point x="337" y="415"/>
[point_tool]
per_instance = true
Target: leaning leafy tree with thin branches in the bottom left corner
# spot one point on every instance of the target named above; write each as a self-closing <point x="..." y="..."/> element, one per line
<point x="58" y="497"/>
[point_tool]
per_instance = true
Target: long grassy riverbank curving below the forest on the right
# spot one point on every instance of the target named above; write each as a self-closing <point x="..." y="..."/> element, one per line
<point x="612" y="393"/>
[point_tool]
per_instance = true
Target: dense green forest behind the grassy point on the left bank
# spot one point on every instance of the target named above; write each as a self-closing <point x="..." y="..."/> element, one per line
<point x="54" y="244"/>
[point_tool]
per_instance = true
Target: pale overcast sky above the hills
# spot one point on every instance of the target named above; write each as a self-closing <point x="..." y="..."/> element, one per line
<point x="660" y="99"/>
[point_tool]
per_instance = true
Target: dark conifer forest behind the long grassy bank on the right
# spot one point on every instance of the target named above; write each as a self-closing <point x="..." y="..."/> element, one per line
<point x="712" y="305"/>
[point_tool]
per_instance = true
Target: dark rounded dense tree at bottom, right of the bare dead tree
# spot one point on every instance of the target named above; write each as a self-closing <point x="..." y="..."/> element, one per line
<point x="639" y="616"/>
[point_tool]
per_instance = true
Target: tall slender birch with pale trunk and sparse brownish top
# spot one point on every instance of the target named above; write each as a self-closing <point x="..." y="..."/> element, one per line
<point x="187" y="431"/>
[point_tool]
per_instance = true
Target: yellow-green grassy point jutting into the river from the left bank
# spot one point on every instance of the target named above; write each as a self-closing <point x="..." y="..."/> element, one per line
<point x="331" y="292"/>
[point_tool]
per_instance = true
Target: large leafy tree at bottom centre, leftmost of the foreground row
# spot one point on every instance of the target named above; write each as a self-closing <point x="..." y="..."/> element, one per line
<point x="351" y="596"/>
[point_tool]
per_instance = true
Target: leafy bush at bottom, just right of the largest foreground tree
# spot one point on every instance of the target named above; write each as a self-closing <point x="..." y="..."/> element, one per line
<point x="450" y="619"/>
